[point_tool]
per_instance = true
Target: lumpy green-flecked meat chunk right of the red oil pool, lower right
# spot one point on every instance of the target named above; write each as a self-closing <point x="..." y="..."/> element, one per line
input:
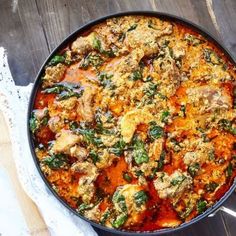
<point x="172" y="185"/>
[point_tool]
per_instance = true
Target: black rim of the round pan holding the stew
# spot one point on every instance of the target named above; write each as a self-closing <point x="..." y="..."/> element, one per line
<point x="72" y="37"/>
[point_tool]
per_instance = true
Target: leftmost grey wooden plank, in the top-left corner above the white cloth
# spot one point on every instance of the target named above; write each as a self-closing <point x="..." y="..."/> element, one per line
<point x="23" y="38"/>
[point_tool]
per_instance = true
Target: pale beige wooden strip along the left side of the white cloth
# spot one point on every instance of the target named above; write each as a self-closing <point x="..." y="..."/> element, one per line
<point x="34" y="221"/>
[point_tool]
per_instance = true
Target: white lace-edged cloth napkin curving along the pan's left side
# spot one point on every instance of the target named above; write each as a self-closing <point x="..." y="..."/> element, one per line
<point x="13" y="103"/>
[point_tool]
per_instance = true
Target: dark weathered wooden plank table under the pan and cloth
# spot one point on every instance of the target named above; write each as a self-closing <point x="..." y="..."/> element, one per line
<point x="30" y="29"/>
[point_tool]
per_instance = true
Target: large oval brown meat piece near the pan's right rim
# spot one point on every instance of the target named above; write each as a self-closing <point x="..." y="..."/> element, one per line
<point x="209" y="98"/>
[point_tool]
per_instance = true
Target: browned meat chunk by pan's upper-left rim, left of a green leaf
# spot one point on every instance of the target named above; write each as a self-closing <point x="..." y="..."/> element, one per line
<point x="83" y="45"/>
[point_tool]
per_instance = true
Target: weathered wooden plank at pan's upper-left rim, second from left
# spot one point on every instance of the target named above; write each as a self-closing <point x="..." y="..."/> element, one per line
<point x="60" y="18"/>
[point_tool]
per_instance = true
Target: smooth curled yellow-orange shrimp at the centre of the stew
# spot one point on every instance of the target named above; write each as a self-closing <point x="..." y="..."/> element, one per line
<point x="131" y="120"/>
